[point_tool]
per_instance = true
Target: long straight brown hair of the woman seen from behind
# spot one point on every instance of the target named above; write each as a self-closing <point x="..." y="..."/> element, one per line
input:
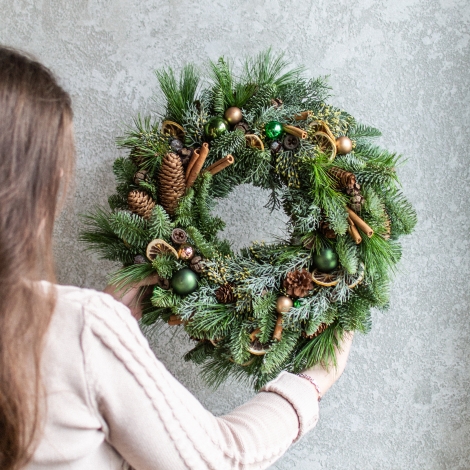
<point x="36" y="151"/>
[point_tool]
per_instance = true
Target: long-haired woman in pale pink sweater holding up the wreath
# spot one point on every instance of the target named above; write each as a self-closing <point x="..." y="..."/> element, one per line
<point x="79" y="386"/>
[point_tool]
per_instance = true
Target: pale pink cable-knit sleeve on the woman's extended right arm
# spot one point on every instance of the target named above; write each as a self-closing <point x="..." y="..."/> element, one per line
<point x="154" y="422"/>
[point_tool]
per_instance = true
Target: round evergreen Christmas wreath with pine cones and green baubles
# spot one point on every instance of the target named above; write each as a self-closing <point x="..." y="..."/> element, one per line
<point x="271" y="307"/>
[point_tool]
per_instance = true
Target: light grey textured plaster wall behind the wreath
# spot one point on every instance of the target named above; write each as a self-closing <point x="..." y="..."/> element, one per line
<point x="399" y="65"/>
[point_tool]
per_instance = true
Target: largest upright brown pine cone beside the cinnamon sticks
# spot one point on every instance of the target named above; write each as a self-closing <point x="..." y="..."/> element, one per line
<point x="172" y="182"/>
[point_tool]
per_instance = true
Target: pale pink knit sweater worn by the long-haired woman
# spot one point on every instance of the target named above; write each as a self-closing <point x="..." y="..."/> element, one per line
<point x="110" y="402"/>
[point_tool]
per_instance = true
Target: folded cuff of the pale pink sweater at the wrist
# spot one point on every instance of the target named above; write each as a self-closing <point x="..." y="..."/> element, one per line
<point x="301" y="395"/>
